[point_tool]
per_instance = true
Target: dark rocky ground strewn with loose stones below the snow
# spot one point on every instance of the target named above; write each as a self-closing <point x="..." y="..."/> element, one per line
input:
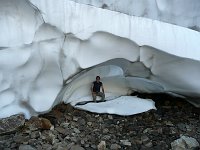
<point x="67" y="128"/>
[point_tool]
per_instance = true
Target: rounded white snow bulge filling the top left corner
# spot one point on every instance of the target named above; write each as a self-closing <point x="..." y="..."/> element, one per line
<point x="19" y="21"/>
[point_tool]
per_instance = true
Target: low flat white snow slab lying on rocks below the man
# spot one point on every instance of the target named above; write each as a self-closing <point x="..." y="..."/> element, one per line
<point x="124" y="105"/>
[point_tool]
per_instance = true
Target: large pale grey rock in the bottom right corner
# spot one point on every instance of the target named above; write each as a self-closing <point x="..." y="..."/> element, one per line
<point x="185" y="142"/>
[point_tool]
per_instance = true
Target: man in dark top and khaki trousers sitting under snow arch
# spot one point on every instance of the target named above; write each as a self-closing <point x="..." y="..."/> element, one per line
<point x="96" y="89"/>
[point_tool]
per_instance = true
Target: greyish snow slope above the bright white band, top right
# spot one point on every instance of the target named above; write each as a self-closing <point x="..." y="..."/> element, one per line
<point x="180" y="12"/>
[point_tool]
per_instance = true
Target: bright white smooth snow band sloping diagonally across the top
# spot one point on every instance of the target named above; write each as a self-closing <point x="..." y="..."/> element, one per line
<point x="83" y="21"/>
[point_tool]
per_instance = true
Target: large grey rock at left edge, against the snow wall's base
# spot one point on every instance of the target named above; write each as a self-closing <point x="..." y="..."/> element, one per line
<point x="11" y="124"/>
